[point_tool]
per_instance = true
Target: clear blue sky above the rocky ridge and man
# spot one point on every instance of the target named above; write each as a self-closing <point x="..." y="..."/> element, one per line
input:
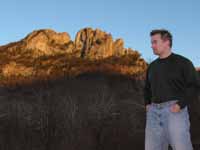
<point x="131" y="20"/>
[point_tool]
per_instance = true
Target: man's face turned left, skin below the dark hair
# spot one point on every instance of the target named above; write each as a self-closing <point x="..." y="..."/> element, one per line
<point x="159" y="45"/>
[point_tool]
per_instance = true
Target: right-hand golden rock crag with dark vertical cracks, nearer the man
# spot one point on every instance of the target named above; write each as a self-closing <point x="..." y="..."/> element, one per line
<point x="96" y="44"/>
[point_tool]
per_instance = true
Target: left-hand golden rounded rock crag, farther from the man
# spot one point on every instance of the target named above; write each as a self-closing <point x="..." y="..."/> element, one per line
<point x="42" y="42"/>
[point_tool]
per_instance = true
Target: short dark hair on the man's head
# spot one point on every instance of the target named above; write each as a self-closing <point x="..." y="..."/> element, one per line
<point x="165" y="34"/>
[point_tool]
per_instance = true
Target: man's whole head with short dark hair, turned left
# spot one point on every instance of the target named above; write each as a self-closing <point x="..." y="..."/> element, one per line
<point x="161" y="41"/>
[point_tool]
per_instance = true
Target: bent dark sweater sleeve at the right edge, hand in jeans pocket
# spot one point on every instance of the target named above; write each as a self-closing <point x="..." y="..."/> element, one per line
<point x="192" y="82"/>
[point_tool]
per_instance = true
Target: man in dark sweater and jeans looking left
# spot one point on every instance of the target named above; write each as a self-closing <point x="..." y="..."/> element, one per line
<point x="170" y="83"/>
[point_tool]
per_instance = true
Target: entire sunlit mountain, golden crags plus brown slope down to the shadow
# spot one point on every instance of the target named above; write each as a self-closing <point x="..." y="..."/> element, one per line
<point x="45" y="53"/>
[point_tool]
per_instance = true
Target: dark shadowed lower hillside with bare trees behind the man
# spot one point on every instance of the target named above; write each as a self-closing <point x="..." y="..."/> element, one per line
<point x="90" y="112"/>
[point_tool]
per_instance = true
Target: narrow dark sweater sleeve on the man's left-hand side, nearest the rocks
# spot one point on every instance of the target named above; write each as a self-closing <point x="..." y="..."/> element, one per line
<point x="147" y="90"/>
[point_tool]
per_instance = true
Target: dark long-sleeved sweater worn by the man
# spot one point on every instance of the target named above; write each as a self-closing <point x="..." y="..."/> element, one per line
<point x="171" y="78"/>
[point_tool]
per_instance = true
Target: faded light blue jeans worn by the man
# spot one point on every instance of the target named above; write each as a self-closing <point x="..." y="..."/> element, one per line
<point x="164" y="128"/>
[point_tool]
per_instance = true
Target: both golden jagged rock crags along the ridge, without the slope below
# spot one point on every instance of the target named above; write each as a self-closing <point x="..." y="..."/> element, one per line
<point x="89" y="43"/>
